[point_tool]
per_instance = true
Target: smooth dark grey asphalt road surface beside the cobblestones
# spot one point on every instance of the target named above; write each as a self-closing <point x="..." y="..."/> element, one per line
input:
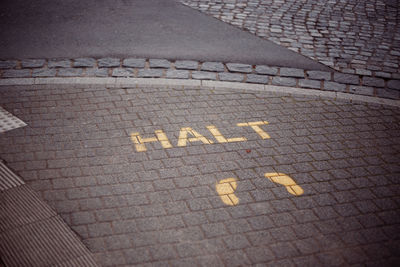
<point x="122" y="28"/>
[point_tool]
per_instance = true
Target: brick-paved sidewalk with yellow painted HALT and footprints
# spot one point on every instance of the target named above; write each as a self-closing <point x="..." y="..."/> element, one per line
<point x="196" y="176"/>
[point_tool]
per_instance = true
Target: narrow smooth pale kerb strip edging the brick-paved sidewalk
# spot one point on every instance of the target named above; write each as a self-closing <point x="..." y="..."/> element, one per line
<point x="112" y="82"/>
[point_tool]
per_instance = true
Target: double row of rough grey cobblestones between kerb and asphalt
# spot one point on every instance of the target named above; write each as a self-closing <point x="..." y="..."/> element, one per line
<point x="195" y="70"/>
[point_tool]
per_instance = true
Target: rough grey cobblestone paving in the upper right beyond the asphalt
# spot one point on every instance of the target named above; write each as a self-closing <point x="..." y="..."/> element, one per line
<point x="350" y="36"/>
